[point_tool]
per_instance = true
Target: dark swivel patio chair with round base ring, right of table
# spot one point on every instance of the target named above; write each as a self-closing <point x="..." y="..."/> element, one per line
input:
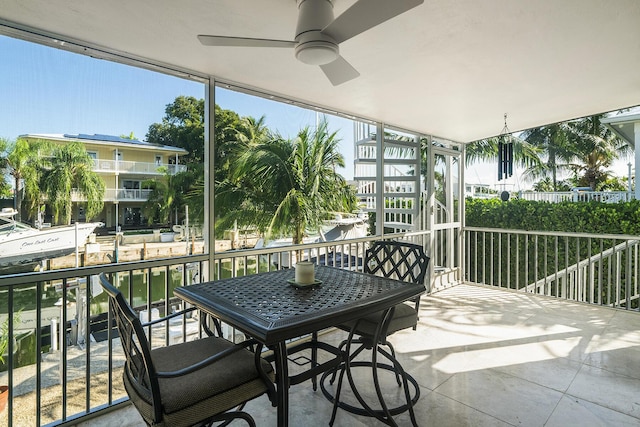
<point x="396" y="260"/>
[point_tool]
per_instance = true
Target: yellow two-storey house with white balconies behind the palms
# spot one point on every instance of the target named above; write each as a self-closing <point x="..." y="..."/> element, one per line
<point x="123" y="164"/>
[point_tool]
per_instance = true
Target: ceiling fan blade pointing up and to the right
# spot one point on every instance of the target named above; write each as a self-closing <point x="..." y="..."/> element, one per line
<point x="366" y="14"/>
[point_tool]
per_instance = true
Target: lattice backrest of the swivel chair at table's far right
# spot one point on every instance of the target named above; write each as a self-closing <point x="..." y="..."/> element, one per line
<point x="397" y="260"/>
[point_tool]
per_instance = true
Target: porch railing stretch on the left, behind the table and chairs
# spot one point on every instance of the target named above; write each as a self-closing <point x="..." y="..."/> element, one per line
<point x="62" y="354"/>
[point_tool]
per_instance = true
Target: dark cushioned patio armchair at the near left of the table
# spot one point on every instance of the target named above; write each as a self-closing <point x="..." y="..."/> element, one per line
<point x="193" y="383"/>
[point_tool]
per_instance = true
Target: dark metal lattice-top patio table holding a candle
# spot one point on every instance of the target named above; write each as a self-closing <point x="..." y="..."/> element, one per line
<point x="269" y="309"/>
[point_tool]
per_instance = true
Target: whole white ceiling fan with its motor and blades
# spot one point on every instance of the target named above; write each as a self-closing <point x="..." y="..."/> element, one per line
<point x="318" y="34"/>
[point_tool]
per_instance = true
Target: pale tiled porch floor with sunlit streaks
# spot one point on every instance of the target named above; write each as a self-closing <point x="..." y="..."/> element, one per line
<point x="487" y="357"/>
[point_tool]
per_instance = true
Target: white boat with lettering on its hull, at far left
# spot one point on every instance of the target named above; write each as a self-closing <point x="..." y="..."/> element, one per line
<point x="22" y="244"/>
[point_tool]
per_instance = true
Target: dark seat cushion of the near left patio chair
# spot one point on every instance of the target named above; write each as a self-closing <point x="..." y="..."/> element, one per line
<point x="214" y="389"/>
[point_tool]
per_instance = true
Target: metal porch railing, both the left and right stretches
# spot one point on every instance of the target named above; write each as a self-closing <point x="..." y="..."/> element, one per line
<point x="518" y="260"/>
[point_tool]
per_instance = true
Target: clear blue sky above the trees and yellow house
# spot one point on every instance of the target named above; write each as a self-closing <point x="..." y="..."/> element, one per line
<point x="47" y="90"/>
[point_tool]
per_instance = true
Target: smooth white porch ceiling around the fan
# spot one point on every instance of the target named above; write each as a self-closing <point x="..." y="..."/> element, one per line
<point x="449" y="68"/>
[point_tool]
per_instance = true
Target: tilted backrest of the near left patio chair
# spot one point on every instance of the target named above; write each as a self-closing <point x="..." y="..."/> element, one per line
<point x="138" y="368"/>
